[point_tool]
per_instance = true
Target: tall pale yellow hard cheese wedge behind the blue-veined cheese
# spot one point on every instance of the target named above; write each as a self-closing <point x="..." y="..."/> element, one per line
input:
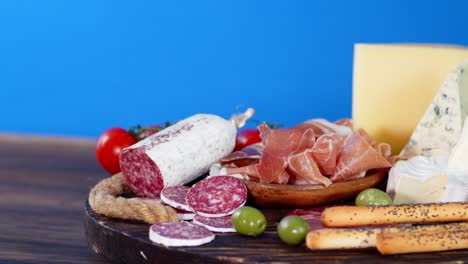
<point x="394" y="84"/>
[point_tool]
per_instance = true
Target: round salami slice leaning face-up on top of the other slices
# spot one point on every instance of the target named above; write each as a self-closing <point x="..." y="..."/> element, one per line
<point x="217" y="196"/>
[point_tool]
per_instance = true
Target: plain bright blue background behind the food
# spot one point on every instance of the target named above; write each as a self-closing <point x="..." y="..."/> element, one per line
<point x="77" y="67"/>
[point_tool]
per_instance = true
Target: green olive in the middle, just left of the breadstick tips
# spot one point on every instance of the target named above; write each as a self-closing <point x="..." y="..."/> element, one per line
<point x="293" y="229"/>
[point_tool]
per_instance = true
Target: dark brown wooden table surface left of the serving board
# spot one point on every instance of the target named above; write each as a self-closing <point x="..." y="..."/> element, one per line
<point x="44" y="183"/>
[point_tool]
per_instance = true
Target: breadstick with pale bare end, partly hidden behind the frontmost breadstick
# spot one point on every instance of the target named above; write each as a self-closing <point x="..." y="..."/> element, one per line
<point x="349" y="238"/>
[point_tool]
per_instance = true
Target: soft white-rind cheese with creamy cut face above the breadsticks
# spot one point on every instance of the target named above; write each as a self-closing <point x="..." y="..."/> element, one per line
<point x="426" y="180"/>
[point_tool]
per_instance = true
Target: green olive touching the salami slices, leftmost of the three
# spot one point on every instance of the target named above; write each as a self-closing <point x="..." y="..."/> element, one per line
<point x="249" y="221"/>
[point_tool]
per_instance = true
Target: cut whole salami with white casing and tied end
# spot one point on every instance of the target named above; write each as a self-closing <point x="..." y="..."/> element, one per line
<point x="179" y="153"/>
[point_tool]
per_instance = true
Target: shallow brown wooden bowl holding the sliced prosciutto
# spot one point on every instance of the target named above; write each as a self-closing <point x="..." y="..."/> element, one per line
<point x="283" y="195"/>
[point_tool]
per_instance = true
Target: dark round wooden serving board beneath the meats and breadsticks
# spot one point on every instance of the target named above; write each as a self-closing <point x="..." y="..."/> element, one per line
<point x="127" y="242"/>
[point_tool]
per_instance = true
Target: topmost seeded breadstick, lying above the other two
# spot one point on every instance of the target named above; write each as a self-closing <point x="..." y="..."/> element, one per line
<point x="346" y="216"/>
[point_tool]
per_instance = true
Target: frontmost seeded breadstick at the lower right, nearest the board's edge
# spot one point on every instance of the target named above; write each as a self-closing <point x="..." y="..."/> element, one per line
<point x="389" y="243"/>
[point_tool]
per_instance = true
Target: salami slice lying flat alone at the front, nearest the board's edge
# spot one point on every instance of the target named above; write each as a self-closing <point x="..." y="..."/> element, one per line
<point x="180" y="234"/>
